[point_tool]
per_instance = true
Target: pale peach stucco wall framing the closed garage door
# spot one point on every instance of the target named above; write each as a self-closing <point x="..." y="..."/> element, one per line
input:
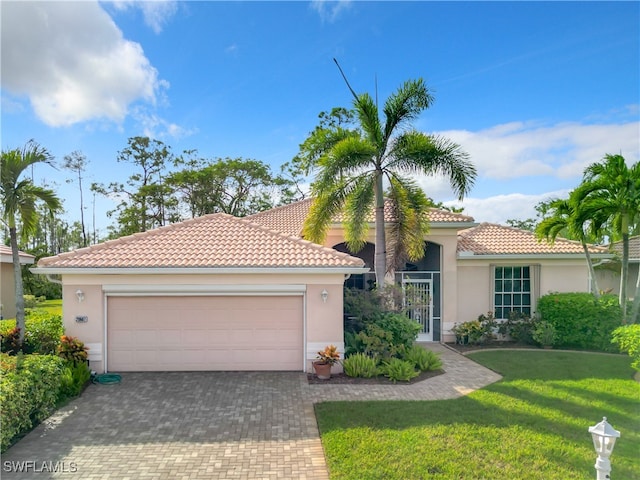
<point x="323" y="320"/>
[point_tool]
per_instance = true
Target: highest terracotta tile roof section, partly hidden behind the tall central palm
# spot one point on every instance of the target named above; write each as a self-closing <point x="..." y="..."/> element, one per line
<point x="289" y="219"/>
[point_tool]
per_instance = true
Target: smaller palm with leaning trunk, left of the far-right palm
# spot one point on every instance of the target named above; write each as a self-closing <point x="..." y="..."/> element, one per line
<point x="562" y="220"/>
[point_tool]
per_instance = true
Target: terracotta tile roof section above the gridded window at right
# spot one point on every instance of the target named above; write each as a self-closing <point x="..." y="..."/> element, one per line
<point x="492" y="239"/>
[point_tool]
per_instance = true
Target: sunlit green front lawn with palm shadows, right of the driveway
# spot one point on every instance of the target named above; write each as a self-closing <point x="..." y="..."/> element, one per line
<point x="531" y="425"/>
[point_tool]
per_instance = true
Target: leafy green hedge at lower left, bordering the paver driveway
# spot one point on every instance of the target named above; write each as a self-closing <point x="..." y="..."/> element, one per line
<point x="28" y="393"/>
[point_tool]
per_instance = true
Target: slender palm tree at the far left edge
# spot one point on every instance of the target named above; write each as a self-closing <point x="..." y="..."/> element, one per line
<point x="19" y="199"/>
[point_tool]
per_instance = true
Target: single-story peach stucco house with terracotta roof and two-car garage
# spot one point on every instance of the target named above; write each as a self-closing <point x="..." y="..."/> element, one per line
<point x="225" y="293"/>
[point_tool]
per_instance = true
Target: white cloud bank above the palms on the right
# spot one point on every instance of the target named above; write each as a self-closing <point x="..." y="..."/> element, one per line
<point x="530" y="149"/>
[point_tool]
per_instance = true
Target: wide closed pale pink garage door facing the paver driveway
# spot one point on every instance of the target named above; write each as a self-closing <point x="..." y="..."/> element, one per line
<point x="204" y="333"/>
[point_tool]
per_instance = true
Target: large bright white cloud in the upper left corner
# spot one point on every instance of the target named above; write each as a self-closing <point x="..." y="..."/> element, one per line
<point x="72" y="62"/>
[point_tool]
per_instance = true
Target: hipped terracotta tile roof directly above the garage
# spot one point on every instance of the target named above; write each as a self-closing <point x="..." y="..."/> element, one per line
<point x="216" y="240"/>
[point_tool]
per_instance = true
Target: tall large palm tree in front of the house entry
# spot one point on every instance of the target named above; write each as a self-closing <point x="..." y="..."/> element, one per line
<point x="355" y="165"/>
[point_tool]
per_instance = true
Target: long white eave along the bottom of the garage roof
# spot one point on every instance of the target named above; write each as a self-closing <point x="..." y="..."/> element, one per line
<point x="197" y="270"/>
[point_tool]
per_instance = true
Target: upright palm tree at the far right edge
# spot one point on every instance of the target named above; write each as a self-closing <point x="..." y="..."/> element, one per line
<point x="610" y="195"/>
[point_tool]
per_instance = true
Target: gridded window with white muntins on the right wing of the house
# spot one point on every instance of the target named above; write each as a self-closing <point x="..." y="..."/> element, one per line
<point x="512" y="290"/>
